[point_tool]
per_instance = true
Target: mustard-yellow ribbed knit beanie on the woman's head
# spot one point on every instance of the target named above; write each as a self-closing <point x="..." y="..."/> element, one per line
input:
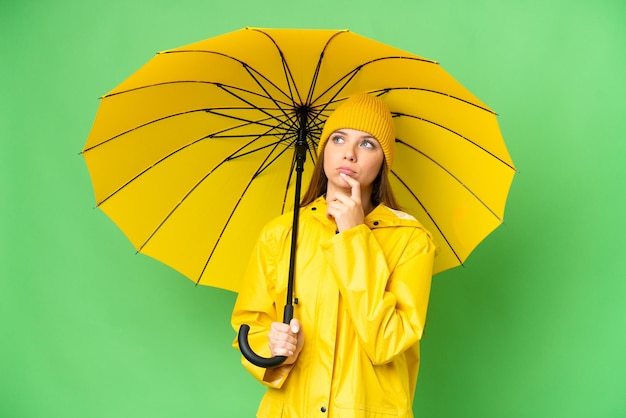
<point x="366" y="113"/>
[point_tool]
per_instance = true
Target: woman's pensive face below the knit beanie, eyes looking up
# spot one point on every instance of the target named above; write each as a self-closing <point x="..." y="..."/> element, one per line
<point x="354" y="153"/>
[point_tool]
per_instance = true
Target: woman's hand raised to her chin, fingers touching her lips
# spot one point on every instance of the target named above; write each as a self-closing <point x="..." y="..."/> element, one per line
<point x="346" y="210"/>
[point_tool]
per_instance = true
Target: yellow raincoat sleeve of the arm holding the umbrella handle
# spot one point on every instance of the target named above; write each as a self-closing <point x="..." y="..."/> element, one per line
<point x="256" y="306"/>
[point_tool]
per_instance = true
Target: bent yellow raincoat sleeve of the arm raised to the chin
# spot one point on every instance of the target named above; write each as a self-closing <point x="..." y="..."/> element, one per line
<point x="387" y="307"/>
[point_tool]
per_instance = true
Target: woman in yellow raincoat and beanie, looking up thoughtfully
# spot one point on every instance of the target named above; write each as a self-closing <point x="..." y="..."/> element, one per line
<point x="363" y="274"/>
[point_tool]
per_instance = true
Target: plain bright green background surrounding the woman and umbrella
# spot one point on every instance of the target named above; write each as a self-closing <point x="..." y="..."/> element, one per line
<point x="533" y="325"/>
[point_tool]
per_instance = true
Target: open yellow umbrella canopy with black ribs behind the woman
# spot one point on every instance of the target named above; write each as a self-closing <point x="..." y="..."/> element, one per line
<point x="194" y="153"/>
